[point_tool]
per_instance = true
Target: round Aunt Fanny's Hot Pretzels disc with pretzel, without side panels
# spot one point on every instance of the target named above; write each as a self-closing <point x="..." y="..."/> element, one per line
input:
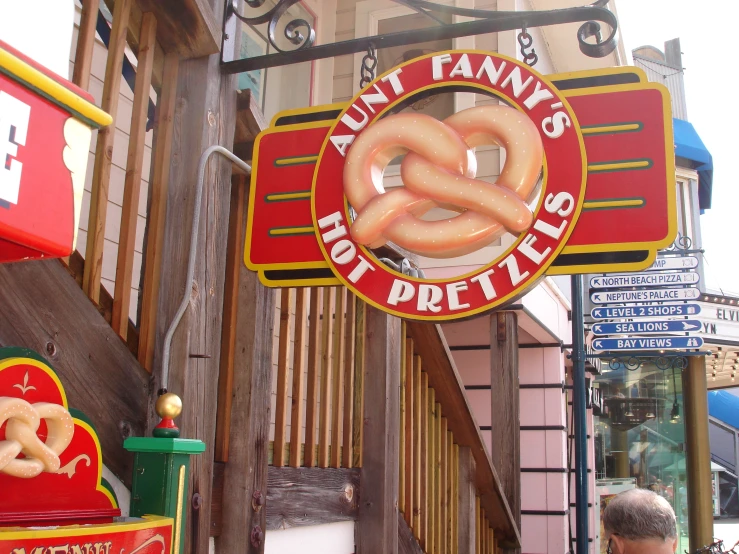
<point x="537" y="197"/>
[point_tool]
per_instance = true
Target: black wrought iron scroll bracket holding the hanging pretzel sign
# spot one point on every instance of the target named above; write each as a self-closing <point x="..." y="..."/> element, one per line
<point x="301" y="34"/>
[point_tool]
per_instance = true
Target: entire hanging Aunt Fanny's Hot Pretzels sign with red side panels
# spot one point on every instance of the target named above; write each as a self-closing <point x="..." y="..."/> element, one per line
<point x="587" y="184"/>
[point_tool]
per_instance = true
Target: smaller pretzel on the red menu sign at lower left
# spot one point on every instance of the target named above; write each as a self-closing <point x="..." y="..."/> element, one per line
<point x="23" y="420"/>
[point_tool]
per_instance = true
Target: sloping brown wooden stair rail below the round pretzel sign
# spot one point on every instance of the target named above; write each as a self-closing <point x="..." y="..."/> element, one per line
<point x="444" y="377"/>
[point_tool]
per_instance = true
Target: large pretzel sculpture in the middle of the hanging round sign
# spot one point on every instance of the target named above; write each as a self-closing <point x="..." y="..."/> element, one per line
<point x="439" y="171"/>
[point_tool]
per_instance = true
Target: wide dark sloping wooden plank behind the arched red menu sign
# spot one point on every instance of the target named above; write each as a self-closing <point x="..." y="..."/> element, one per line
<point x="45" y="310"/>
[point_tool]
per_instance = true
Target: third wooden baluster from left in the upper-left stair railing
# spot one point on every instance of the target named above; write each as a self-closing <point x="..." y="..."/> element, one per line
<point x="132" y="183"/>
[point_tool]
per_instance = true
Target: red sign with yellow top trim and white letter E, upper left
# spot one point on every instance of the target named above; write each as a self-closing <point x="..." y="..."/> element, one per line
<point x="46" y="124"/>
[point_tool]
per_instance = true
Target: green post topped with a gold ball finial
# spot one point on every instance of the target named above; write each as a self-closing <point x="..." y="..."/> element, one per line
<point x="161" y="469"/>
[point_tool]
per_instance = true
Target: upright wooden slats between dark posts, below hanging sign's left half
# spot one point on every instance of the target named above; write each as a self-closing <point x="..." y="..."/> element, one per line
<point x="318" y="348"/>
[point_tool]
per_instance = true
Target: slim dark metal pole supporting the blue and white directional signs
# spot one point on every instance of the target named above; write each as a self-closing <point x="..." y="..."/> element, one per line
<point x="579" y="403"/>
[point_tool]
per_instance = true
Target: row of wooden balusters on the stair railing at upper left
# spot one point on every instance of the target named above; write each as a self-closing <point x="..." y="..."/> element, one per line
<point x="156" y="76"/>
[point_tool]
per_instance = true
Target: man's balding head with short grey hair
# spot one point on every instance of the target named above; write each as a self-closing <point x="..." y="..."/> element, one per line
<point x="640" y="522"/>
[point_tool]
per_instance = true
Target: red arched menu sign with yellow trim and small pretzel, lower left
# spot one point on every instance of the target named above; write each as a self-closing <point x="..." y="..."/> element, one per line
<point x="55" y="499"/>
